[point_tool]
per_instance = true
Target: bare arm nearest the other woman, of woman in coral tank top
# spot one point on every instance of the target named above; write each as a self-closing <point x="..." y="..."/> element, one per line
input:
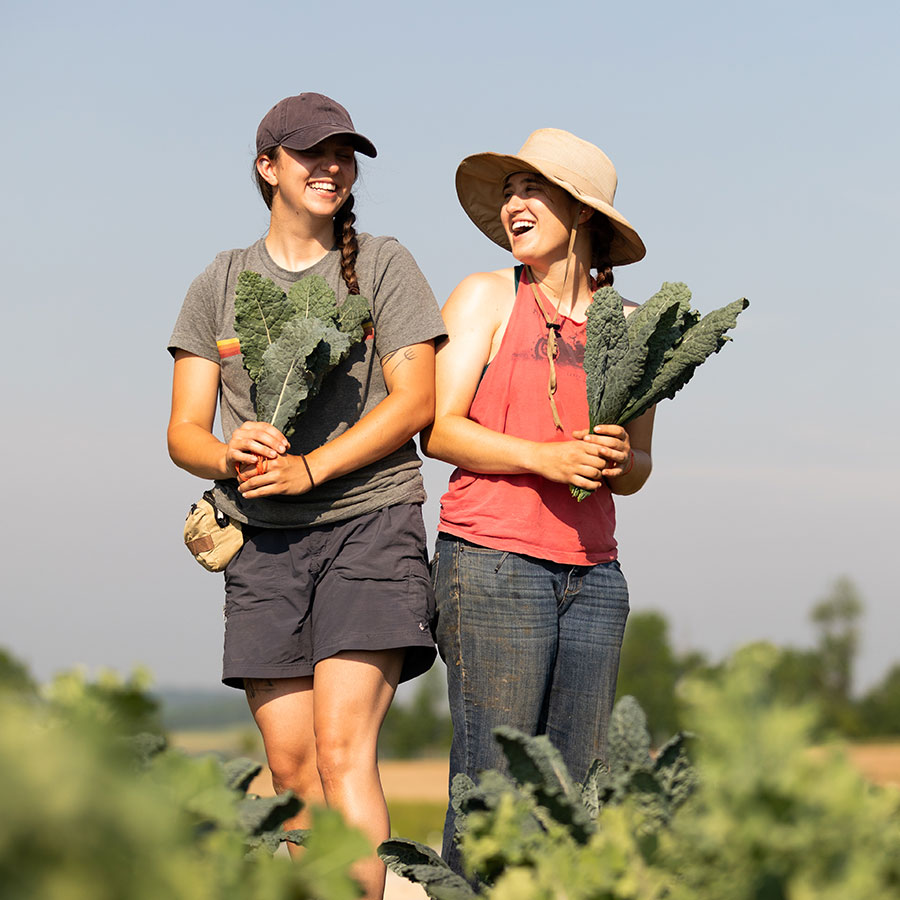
<point x="474" y="315"/>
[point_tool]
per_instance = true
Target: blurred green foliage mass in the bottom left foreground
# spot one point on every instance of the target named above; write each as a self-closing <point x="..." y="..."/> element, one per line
<point x="95" y="807"/>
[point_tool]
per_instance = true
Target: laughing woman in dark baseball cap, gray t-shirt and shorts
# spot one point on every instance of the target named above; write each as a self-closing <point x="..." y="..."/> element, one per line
<point x="329" y="600"/>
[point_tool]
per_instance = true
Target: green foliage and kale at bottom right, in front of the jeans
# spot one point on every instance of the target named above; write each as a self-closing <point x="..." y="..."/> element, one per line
<point x="753" y="816"/>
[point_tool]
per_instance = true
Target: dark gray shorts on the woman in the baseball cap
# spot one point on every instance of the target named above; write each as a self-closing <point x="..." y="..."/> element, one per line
<point x="296" y="596"/>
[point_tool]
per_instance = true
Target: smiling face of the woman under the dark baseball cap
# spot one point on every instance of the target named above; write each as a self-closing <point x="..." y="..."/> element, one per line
<point x="316" y="181"/>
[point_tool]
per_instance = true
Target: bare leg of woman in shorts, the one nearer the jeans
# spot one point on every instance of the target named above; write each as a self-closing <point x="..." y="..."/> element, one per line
<point x="353" y="691"/>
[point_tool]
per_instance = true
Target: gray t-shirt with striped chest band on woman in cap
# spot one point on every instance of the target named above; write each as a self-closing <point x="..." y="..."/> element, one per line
<point x="404" y="312"/>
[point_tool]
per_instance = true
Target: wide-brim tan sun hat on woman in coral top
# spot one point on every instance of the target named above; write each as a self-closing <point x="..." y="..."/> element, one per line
<point x="578" y="167"/>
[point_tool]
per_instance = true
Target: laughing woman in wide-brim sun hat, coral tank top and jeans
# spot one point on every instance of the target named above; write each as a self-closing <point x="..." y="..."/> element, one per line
<point x="531" y="600"/>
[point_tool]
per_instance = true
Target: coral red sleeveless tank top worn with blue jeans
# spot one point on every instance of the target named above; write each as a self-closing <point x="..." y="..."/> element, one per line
<point x="527" y="514"/>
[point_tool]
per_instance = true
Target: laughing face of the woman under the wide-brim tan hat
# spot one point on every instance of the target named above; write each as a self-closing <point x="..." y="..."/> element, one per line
<point x="537" y="217"/>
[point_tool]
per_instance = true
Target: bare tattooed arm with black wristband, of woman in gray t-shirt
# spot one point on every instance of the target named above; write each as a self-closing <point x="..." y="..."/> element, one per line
<point x="408" y="407"/>
